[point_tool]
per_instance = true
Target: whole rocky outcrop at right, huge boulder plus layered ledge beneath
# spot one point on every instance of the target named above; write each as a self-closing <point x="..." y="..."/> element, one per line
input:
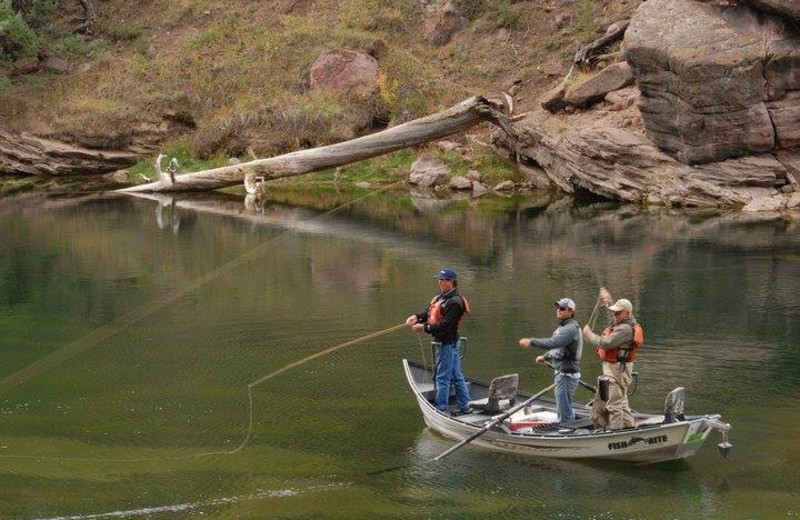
<point x="713" y="120"/>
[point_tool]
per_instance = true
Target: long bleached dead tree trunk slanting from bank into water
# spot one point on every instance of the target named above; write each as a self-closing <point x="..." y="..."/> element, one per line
<point x="453" y="120"/>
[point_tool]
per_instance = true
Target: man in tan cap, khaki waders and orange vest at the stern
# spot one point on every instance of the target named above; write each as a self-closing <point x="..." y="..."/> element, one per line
<point x="617" y="347"/>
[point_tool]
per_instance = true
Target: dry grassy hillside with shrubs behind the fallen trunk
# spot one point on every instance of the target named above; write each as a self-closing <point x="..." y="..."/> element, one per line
<point x="233" y="74"/>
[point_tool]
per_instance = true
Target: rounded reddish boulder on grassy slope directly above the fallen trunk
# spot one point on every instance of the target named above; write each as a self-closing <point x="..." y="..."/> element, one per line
<point x="345" y="72"/>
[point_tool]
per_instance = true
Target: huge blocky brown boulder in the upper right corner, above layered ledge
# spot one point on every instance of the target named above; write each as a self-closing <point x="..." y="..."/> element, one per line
<point x="716" y="81"/>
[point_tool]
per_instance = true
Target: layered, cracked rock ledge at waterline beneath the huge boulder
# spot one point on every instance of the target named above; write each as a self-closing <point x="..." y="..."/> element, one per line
<point x="606" y="153"/>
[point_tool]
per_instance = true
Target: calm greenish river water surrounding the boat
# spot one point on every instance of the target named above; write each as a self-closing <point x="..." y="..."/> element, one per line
<point x="130" y="330"/>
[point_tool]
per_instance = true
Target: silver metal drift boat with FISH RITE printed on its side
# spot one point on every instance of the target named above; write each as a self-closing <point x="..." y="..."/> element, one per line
<point x="532" y="431"/>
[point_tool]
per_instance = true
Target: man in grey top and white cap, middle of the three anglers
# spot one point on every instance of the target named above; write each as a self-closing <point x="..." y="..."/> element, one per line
<point x="564" y="349"/>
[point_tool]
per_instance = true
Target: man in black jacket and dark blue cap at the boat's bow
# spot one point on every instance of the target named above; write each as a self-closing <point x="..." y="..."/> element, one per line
<point x="442" y="320"/>
